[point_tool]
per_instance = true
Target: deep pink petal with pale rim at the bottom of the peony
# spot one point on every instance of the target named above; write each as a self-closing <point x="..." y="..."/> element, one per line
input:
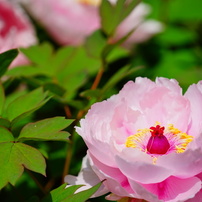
<point x="175" y="189"/>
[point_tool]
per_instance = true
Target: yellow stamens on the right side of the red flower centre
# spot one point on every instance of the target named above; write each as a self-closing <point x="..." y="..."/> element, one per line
<point x="184" y="138"/>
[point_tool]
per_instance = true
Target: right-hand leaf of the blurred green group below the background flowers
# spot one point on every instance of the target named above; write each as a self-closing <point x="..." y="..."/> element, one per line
<point x="75" y="73"/>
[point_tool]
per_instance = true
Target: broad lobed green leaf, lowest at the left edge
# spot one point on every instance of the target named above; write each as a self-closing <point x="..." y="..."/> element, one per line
<point x="16" y="156"/>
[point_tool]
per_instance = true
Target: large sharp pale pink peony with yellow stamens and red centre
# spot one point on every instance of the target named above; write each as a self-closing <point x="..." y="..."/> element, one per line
<point x="146" y="142"/>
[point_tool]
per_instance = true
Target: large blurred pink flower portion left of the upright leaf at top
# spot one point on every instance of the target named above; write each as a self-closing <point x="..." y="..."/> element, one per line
<point x="69" y="22"/>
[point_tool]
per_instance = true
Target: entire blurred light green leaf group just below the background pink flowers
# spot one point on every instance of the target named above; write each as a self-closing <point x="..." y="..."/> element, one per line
<point x="63" y="70"/>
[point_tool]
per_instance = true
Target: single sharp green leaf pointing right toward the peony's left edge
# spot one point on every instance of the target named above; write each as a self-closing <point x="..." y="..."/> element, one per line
<point x="47" y="129"/>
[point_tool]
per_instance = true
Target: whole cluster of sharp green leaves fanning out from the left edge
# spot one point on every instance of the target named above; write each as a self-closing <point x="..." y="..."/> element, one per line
<point x="15" y="155"/>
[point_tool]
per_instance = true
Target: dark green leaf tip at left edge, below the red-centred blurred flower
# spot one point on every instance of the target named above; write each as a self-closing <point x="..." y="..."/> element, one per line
<point x="6" y="59"/>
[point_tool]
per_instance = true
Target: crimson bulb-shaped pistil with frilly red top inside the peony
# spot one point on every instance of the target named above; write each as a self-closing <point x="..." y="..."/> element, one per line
<point x="158" y="143"/>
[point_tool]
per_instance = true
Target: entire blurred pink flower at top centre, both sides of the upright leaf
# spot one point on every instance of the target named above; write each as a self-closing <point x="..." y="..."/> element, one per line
<point x="71" y="21"/>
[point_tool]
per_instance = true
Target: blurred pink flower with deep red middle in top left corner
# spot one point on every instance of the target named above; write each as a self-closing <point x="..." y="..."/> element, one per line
<point x="15" y="30"/>
